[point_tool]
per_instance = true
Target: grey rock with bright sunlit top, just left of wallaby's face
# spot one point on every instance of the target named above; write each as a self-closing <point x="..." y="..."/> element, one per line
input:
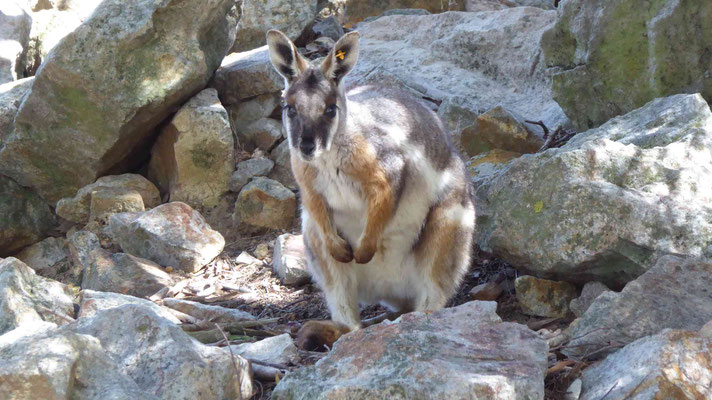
<point x="245" y="75"/>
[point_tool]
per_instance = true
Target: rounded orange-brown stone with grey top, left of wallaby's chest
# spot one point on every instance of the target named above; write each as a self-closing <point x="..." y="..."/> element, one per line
<point x="264" y="203"/>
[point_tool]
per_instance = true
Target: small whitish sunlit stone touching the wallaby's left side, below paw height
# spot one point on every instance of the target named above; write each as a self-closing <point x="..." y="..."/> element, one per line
<point x="289" y="261"/>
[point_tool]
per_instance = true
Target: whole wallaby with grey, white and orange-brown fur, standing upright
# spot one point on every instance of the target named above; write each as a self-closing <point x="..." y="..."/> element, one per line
<point x="387" y="210"/>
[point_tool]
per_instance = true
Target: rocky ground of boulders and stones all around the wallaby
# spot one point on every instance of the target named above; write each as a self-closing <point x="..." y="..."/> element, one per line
<point x="149" y="230"/>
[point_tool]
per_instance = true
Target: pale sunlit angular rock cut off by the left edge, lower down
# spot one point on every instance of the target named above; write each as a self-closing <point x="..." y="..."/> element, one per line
<point x="28" y="298"/>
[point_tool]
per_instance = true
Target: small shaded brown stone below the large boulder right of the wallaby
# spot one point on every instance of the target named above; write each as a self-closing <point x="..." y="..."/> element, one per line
<point x="544" y="298"/>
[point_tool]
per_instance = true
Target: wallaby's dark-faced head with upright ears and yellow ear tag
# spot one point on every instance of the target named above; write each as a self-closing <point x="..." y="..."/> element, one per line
<point x="314" y="105"/>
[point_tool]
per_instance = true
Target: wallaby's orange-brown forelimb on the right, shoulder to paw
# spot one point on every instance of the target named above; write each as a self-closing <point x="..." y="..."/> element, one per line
<point x="363" y="166"/>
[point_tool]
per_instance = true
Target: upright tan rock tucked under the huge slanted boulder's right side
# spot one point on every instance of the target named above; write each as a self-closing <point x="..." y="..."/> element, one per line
<point x="194" y="156"/>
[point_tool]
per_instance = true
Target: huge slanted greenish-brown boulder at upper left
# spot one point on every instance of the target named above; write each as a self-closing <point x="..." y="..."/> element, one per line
<point x="108" y="84"/>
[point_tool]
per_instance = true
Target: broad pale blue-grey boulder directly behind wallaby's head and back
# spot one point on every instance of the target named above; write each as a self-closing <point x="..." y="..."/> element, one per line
<point x="472" y="62"/>
